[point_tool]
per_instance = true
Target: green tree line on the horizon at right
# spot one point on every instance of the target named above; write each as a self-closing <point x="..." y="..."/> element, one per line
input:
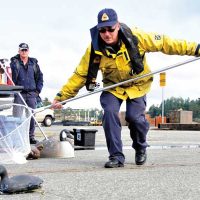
<point x="179" y="103"/>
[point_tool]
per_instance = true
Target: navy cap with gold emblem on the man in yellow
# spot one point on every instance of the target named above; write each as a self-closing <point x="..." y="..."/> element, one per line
<point x="107" y="17"/>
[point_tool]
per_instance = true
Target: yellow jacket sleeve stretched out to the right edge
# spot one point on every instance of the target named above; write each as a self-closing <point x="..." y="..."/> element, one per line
<point x="152" y="42"/>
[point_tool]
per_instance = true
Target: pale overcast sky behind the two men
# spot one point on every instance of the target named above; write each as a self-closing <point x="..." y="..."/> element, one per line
<point x="58" y="34"/>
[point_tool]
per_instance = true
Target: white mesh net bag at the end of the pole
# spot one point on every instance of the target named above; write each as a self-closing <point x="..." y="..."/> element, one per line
<point x="14" y="133"/>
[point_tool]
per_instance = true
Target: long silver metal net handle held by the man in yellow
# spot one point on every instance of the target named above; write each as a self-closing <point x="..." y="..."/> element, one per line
<point x="121" y="83"/>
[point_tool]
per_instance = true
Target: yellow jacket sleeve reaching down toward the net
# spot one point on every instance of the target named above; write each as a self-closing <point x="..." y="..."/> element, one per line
<point x="77" y="80"/>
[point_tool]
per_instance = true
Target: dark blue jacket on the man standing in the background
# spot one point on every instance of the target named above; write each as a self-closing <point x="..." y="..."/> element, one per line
<point x="29" y="76"/>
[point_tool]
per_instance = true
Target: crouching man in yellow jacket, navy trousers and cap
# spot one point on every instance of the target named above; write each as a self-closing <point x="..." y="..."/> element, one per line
<point x="119" y="52"/>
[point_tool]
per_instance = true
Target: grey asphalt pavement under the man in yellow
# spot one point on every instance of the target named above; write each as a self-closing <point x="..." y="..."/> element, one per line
<point x="172" y="170"/>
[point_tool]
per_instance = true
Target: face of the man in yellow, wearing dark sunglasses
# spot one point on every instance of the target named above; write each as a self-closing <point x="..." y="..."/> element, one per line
<point x="109" y="34"/>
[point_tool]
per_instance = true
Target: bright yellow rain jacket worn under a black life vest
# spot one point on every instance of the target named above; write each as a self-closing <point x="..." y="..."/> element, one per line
<point x="116" y="69"/>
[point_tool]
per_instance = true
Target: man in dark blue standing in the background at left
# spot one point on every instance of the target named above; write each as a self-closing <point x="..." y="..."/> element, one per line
<point x="26" y="72"/>
